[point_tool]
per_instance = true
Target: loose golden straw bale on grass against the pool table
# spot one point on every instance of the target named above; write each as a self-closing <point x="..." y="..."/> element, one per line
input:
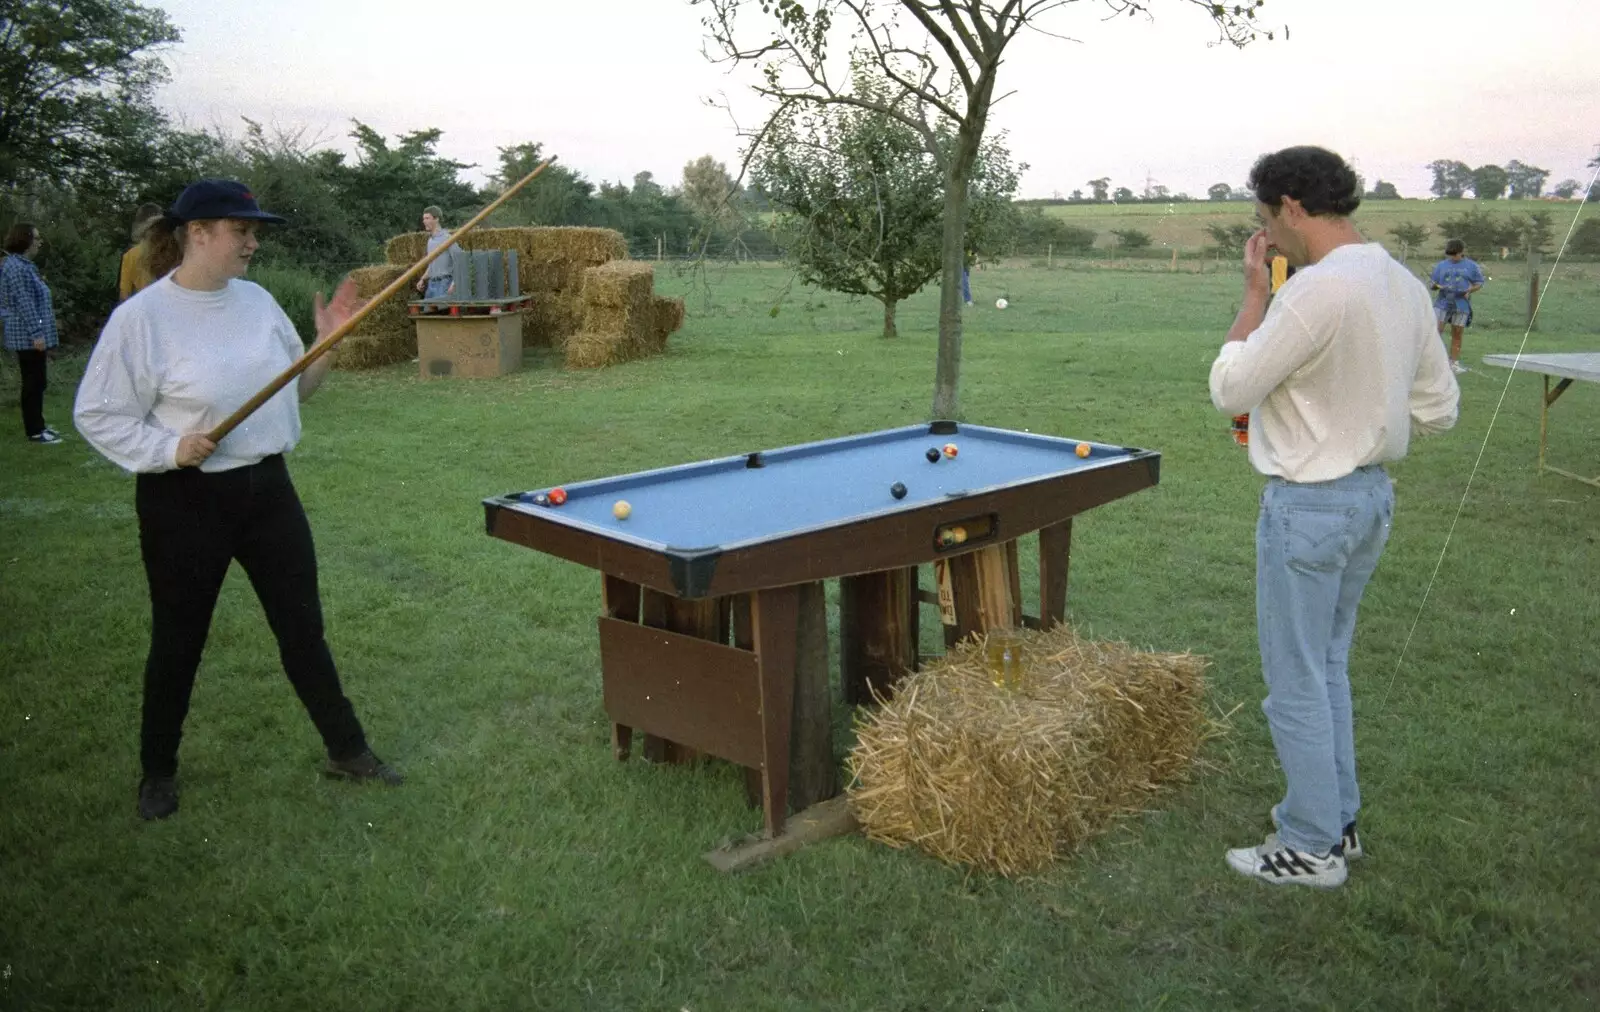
<point x="1004" y="779"/>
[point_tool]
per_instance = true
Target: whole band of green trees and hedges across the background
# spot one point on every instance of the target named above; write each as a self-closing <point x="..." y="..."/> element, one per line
<point x="84" y="143"/>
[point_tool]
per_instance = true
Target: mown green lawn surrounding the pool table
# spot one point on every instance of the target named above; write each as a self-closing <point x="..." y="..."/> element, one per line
<point x="521" y="867"/>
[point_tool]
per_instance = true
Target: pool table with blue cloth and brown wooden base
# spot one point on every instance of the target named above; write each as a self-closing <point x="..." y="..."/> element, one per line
<point x="738" y="548"/>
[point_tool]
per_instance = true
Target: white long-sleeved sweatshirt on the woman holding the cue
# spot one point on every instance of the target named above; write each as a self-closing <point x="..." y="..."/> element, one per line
<point x="174" y="361"/>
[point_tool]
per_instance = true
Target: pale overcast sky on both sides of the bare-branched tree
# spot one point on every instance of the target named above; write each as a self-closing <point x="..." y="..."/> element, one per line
<point x="615" y="87"/>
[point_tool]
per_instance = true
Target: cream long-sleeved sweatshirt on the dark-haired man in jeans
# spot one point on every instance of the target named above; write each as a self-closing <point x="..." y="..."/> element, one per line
<point x="1346" y="363"/>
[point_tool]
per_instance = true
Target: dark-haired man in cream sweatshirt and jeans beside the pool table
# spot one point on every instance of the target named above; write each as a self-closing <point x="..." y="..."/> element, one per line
<point x="1335" y="377"/>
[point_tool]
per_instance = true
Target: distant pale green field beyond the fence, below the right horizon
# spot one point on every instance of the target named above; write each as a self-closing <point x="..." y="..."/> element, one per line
<point x="1183" y="227"/>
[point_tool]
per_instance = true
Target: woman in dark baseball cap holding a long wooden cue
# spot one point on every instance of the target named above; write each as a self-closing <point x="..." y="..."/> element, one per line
<point x="169" y="367"/>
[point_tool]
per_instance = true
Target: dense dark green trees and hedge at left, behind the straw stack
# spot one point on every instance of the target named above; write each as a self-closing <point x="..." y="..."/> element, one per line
<point x="84" y="143"/>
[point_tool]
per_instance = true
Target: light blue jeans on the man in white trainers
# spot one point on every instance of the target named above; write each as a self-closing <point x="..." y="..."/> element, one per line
<point x="1316" y="548"/>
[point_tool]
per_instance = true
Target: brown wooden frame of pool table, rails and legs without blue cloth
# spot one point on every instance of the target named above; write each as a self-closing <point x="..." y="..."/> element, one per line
<point x="671" y="675"/>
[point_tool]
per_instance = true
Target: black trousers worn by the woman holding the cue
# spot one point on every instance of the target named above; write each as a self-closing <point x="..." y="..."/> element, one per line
<point x="191" y="529"/>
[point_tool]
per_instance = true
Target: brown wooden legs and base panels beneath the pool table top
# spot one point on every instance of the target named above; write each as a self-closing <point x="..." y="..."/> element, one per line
<point x="764" y="701"/>
